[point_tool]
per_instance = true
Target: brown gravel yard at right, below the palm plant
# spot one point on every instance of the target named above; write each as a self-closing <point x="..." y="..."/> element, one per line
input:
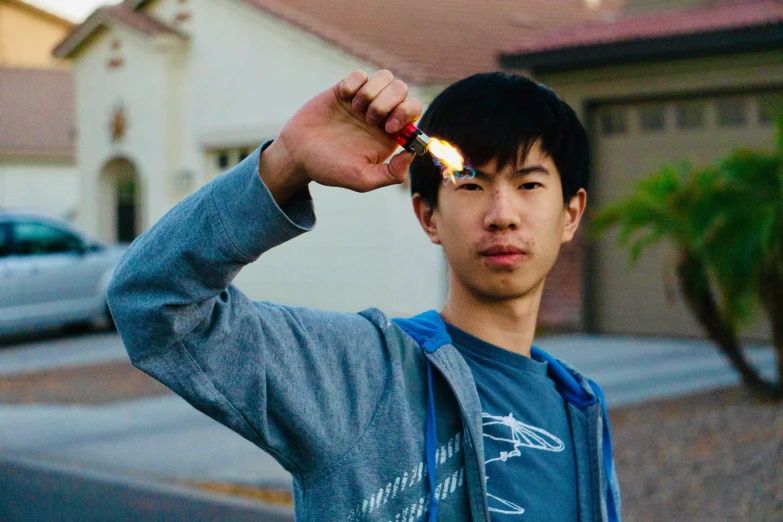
<point x="715" y="456"/>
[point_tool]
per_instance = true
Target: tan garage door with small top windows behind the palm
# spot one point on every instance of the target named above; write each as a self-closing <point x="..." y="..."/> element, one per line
<point x="632" y="141"/>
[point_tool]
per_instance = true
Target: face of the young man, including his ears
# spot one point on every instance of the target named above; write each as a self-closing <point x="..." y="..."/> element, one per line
<point x="502" y="230"/>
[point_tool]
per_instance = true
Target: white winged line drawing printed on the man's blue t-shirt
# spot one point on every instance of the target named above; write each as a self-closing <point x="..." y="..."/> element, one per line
<point x="512" y="436"/>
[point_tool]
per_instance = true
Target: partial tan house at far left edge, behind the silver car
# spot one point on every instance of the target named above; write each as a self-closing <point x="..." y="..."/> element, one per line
<point x="37" y="134"/>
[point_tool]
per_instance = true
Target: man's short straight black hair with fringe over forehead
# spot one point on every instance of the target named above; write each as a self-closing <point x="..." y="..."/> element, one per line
<point x="497" y="116"/>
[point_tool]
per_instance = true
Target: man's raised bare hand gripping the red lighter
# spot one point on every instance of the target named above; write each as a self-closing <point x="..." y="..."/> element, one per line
<point x="342" y="137"/>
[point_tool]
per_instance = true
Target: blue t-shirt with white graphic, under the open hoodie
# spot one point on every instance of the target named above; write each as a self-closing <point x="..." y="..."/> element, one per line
<point x="528" y="449"/>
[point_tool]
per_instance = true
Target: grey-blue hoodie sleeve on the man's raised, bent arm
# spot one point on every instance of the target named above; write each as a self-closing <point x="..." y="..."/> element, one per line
<point x="300" y="383"/>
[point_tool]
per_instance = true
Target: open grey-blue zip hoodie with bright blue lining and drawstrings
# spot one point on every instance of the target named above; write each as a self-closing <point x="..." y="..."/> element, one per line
<point x="375" y="419"/>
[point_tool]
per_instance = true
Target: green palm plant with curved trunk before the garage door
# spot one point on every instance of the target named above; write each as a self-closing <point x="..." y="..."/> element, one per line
<point x="726" y="223"/>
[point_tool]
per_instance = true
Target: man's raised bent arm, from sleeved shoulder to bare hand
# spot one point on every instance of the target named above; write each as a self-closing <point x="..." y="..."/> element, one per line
<point x="300" y="383"/>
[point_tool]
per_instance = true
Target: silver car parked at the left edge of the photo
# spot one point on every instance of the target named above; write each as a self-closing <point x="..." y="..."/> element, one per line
<point x="51" y="274"/>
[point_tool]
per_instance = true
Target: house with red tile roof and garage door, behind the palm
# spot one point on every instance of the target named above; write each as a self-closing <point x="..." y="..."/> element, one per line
<point x="655" y="88"/>
